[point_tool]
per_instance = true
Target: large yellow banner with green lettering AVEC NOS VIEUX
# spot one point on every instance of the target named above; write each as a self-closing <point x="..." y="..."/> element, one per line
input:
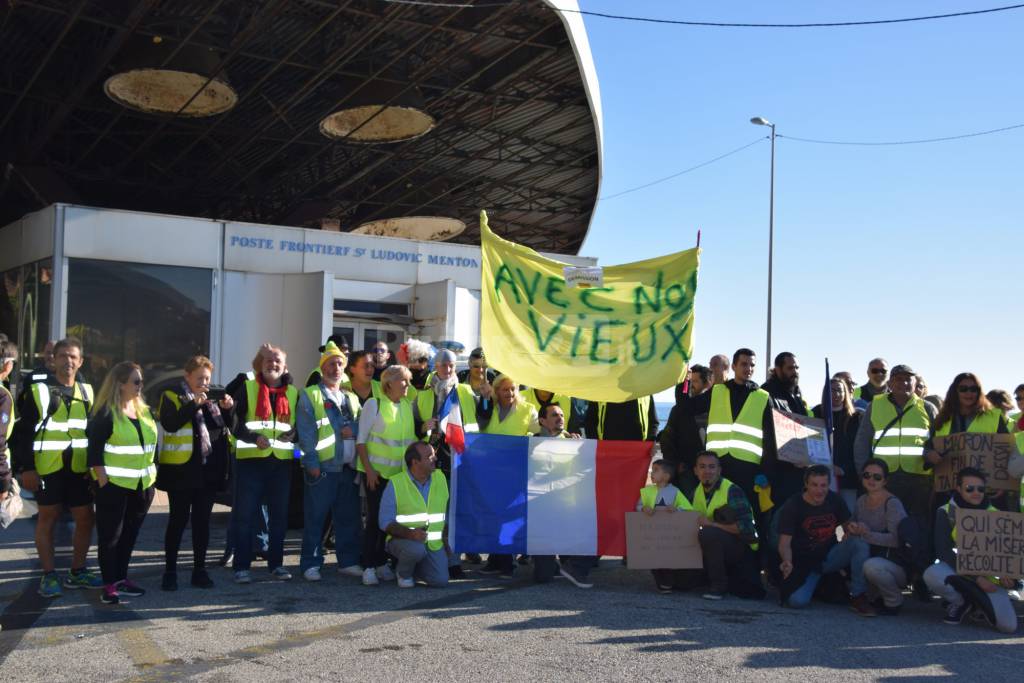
<point x="620" y="333"/>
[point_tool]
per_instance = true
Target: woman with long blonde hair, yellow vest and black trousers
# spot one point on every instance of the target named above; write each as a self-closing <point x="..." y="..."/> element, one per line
<point x="122" y="448"/>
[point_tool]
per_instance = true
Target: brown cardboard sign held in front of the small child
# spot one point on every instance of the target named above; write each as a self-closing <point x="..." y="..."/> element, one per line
<point x="663" y="541"/>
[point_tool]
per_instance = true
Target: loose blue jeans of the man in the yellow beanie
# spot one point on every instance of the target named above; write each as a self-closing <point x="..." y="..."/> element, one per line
<point x="335" y="493"/>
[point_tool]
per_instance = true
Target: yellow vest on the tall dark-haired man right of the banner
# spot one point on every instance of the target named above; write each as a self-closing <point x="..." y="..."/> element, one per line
<point x="743" y="439"/>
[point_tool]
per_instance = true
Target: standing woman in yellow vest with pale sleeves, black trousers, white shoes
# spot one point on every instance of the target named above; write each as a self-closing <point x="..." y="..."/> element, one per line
<point x="387" y="430"/>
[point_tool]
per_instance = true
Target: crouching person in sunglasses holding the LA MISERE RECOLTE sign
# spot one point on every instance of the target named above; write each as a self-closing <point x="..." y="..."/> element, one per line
<point x="942" y="577"/>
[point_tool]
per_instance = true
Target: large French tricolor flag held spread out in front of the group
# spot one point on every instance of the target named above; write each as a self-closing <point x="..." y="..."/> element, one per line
<point x="540" y="496"/>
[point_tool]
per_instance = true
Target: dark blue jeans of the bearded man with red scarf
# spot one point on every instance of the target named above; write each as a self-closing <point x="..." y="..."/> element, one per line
<point x="260" y="480"/>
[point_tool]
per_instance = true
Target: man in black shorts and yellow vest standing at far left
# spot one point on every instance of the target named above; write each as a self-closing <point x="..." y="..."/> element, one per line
<point x="51" y="451"/>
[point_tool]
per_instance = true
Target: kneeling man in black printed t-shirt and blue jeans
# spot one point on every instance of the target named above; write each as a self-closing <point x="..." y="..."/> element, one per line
<point x="808" y="546"/>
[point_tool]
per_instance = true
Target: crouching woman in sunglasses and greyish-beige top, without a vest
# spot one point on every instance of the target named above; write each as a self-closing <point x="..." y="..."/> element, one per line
<point x="877" y="517"/>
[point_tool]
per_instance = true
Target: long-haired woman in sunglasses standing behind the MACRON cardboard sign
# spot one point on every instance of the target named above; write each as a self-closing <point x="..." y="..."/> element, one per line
<point x="966" y="409"/>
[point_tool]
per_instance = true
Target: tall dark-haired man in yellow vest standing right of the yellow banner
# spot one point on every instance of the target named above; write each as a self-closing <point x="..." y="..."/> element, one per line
<point x="741" y="431"/>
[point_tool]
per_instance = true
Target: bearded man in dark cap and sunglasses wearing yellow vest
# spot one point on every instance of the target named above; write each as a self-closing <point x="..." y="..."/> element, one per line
<point x="894" y="429"/>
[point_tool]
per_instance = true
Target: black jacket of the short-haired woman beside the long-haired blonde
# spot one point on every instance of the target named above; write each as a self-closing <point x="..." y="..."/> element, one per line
<point x="194" y="475"/>
